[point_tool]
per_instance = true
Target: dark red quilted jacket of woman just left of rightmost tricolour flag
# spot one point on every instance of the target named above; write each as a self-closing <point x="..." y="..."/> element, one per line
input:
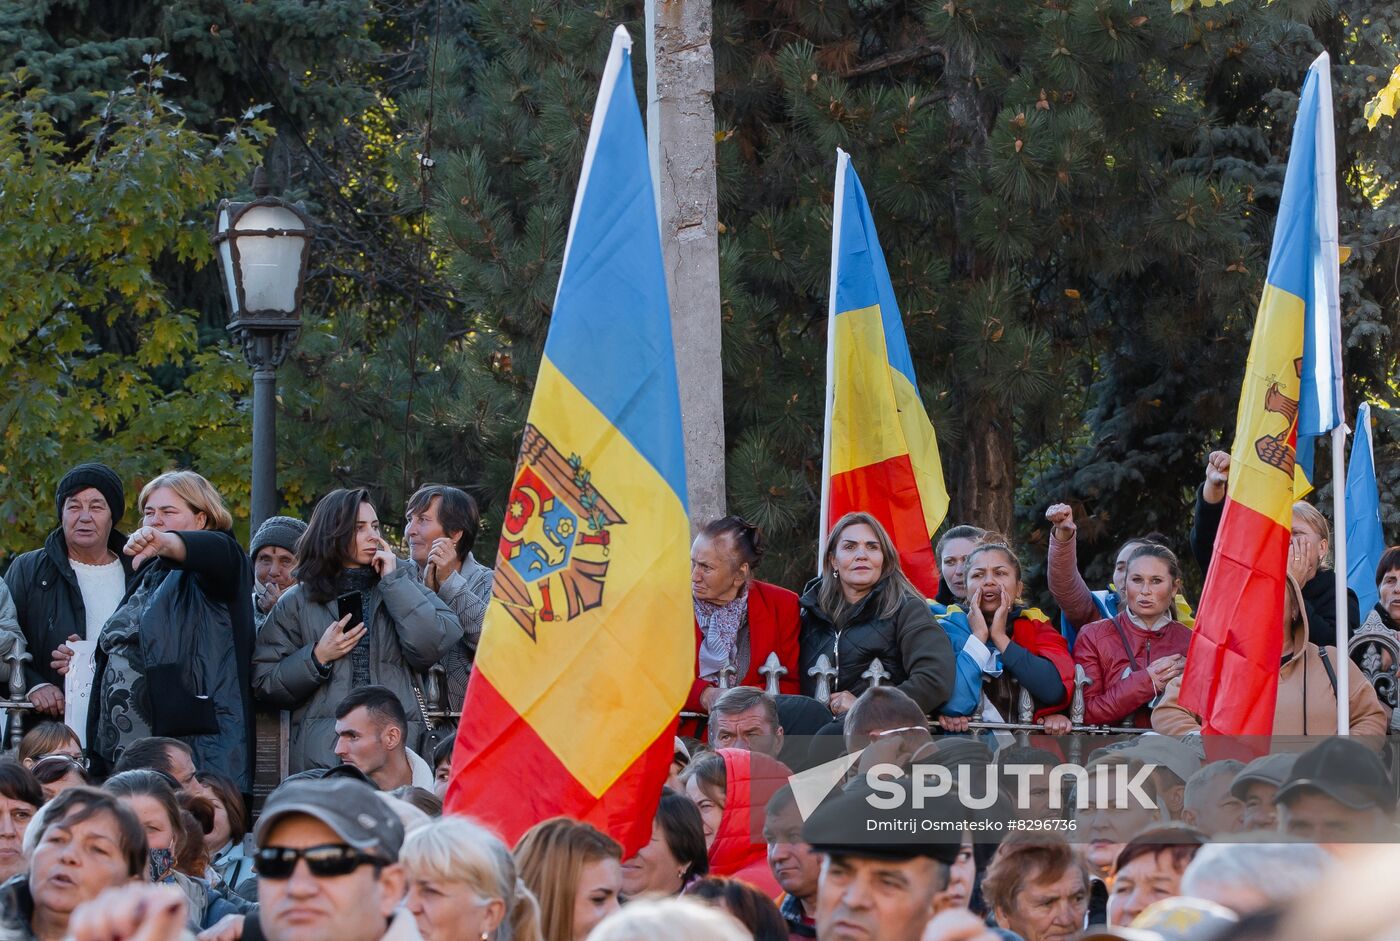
<point x="1111" y="698"/>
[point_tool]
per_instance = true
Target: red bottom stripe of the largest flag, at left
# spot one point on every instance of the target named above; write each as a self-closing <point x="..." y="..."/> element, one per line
<point x="507" y="778"/>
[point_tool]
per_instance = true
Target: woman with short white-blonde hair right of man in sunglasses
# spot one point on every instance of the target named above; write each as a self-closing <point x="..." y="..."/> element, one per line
<point x="464" y="887"/>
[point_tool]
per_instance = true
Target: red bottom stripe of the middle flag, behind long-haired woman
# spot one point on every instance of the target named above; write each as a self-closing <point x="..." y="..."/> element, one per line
<point x="890" y="492"/>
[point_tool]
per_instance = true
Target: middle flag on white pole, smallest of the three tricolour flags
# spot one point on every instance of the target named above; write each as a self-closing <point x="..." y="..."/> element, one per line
<point x="881" y="456"/>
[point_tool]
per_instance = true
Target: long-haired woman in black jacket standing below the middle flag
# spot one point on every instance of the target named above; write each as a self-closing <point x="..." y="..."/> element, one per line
<point x="863" y="608"/>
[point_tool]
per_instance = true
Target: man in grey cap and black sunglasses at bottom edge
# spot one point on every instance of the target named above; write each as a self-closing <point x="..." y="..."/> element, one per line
<point x="327" y="865"/>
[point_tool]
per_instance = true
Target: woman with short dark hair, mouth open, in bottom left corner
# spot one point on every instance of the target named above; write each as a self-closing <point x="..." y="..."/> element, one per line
<point x="85" y="842"/>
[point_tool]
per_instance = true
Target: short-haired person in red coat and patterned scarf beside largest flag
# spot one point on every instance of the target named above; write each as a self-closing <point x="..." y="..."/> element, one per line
<point x="740" y="621"/>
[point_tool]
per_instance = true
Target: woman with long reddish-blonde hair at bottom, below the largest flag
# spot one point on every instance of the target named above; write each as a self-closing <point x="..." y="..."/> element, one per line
<point x="576" y="873"/>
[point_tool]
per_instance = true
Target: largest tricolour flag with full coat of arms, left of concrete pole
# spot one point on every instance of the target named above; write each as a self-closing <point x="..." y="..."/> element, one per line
<point x="589" y="648"/>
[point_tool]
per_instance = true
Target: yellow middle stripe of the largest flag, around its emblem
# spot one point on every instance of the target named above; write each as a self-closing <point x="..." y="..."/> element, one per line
<point x="614" y="657"/>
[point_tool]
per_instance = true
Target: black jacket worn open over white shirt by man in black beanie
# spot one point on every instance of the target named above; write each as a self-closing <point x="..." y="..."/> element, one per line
<point x="50" y="601"/>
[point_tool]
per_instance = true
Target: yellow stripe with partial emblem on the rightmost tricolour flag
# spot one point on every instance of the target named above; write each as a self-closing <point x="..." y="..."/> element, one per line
<point x="1262" y="460"/>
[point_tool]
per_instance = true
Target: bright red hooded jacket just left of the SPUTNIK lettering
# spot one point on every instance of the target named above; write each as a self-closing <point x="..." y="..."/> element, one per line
<point x="738" y="851"/>
